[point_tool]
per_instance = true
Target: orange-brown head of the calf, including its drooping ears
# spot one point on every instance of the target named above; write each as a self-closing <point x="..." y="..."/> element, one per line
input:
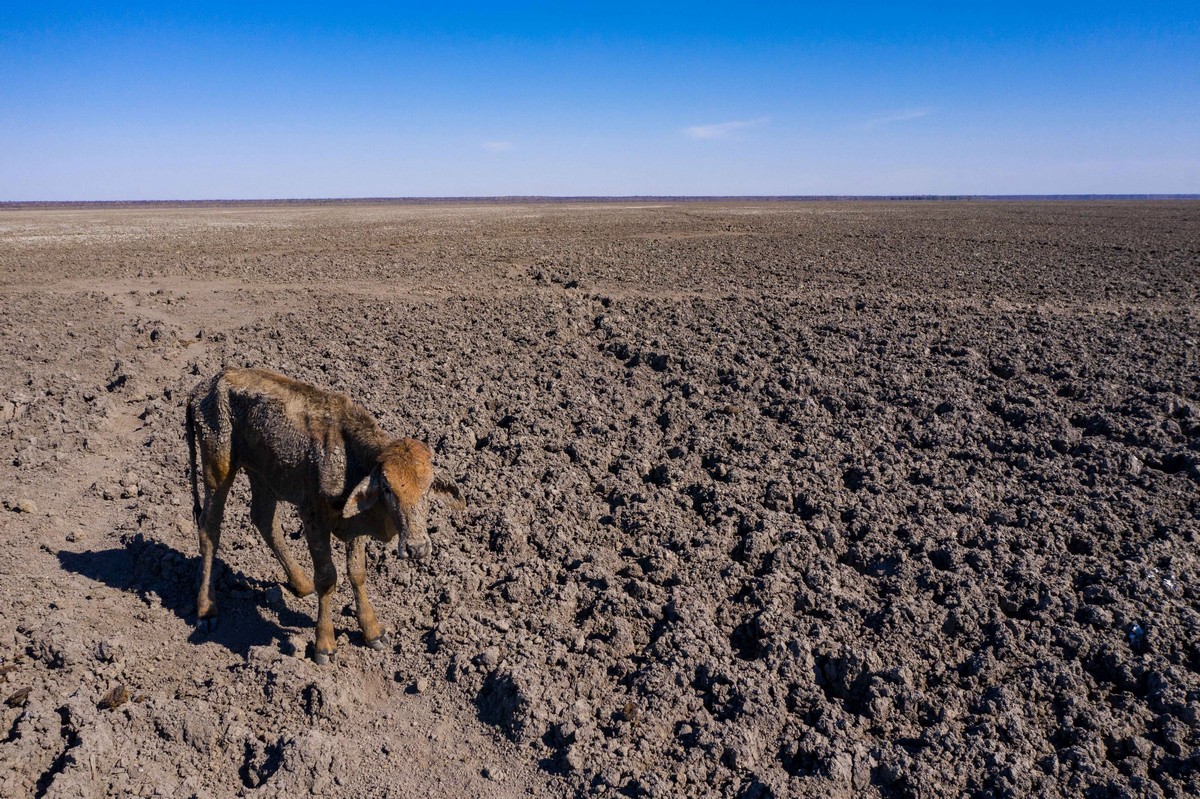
<point x="398" y="491"/>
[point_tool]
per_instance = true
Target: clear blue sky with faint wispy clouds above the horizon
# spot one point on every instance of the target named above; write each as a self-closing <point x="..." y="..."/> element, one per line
<point x="214" y="100"/>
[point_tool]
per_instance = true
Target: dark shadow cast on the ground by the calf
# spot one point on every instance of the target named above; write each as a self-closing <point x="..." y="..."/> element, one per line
<point x="158" y="573"/>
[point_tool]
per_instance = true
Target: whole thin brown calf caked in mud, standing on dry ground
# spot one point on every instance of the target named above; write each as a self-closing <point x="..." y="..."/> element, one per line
<point x="326" y="455"/>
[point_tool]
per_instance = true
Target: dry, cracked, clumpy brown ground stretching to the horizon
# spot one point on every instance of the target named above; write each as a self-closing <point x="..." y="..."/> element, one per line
<point x="764" y="500"/>
